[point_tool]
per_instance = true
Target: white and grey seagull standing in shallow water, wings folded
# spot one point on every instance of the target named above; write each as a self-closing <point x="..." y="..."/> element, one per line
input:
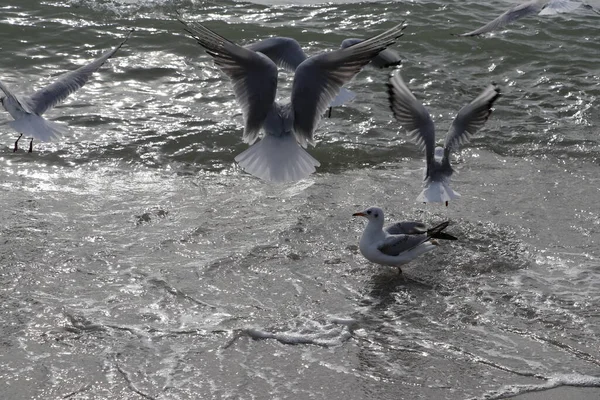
<point x="399" y="243"/>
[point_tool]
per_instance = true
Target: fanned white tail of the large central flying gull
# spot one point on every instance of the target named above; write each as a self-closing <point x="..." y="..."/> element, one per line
<point x="277" y="159"/>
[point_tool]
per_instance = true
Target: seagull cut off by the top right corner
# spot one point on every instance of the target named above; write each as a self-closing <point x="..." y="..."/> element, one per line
<point x="540" y="7"/>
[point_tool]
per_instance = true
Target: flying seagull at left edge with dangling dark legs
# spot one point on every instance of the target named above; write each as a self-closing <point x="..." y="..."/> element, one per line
<point x="27" y="110"/>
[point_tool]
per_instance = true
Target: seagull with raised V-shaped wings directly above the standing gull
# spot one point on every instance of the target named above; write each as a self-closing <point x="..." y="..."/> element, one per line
<point x="415" y="118"/>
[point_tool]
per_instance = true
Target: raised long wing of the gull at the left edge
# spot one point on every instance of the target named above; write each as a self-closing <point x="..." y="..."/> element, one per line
<point x="51" y="95"/>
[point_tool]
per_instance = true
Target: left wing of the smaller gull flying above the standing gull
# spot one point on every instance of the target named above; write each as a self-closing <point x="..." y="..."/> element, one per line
<point x="413" y="116"/>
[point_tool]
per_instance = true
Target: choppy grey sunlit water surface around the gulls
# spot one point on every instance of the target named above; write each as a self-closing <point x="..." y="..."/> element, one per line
<point x="137" y="261"/>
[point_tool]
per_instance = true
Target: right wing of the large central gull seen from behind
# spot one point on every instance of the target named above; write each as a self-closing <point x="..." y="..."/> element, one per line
<point x="319" y="79"/>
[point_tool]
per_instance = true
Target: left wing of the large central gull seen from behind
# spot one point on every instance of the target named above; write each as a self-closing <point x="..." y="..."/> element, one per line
<point x="254" y="76"/>
